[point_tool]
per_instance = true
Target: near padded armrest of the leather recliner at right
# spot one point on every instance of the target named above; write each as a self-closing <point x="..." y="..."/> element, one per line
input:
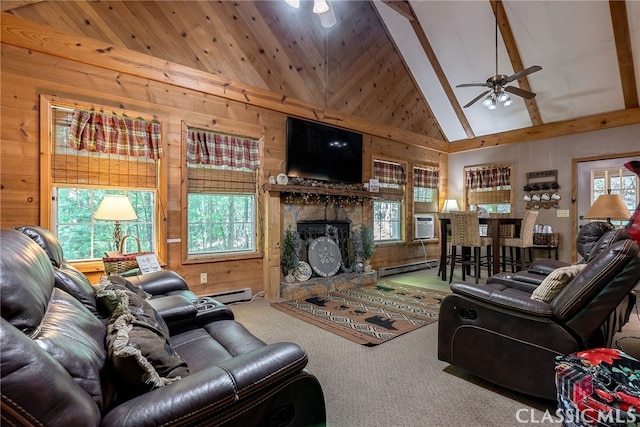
<point x="505" y="297"/>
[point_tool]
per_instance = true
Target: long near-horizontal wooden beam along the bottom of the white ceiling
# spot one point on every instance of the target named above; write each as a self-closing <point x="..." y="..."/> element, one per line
<point x="551" y="130"/>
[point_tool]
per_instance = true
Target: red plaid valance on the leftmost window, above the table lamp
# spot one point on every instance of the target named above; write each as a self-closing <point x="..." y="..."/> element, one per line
<point x="107" y="133"/>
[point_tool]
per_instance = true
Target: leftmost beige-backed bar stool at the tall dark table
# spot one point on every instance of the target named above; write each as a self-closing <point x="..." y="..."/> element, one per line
<point x="465" y="232"/>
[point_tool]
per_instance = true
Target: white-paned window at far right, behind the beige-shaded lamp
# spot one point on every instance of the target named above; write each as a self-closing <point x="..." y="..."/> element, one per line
<point x="620" y="181"/>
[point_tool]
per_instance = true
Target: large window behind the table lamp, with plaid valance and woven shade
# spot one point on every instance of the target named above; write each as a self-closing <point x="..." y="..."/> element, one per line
<point x="93" y="154"/>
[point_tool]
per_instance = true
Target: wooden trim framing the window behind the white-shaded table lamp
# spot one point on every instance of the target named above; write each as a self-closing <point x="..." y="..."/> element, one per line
<point x="47" y="102"/>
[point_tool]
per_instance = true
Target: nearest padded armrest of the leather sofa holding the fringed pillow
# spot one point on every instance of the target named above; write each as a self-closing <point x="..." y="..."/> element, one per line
<point x="203" y="394"/>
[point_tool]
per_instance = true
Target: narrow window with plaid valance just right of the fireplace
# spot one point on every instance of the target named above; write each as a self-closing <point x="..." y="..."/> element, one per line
<point x="387" y="210"/>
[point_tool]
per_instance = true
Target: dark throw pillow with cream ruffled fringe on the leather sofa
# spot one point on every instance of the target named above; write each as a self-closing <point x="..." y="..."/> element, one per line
<point x="138" y="340"/>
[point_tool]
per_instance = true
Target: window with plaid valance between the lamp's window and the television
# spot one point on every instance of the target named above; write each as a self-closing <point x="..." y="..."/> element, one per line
<point x="221" y="193"/>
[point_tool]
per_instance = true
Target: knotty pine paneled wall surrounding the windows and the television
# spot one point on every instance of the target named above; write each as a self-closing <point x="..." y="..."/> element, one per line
<point x="27" y="75"/>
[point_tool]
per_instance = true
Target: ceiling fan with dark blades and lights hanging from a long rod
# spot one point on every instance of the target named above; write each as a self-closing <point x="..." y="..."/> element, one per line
<point x="497" y="84"/>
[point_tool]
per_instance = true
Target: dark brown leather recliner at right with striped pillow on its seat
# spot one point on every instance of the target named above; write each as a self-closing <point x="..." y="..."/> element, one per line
<point x="501" y="334"/>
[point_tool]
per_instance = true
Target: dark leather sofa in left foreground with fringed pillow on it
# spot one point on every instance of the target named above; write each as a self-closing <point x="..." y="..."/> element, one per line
<point x="77" y="354"/>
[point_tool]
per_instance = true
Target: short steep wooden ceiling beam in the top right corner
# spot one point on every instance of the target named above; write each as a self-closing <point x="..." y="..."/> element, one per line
<point x="625" y="55"/>
